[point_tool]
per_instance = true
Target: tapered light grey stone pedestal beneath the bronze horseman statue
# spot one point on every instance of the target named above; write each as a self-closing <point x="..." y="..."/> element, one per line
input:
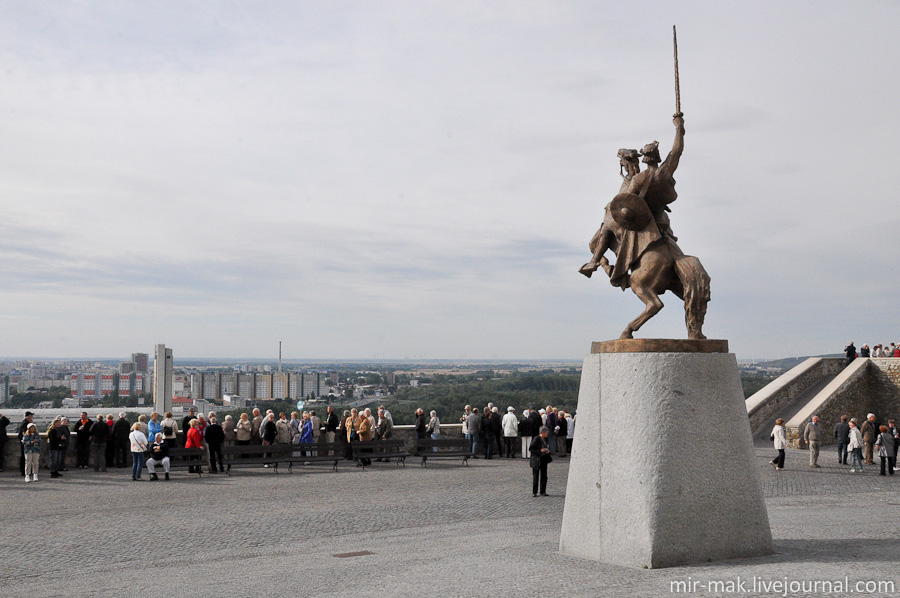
<point x="662" y="471"/>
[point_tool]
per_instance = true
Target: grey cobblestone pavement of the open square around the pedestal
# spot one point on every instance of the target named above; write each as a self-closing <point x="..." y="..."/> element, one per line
<point x="443" y="530"/>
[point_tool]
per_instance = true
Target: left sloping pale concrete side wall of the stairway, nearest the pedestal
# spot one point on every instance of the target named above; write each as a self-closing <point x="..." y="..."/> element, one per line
<point x="770" y="400"/>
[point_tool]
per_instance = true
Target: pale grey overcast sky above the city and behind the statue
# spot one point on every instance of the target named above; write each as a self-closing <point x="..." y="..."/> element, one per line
<point x="421" y="179"/>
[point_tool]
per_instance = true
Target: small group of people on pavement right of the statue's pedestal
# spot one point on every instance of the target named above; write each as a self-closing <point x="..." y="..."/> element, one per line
<point x="859" y="442"/>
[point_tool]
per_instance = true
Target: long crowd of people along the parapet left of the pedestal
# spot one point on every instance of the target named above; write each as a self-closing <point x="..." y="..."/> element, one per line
<point x="109" y="441"/>
